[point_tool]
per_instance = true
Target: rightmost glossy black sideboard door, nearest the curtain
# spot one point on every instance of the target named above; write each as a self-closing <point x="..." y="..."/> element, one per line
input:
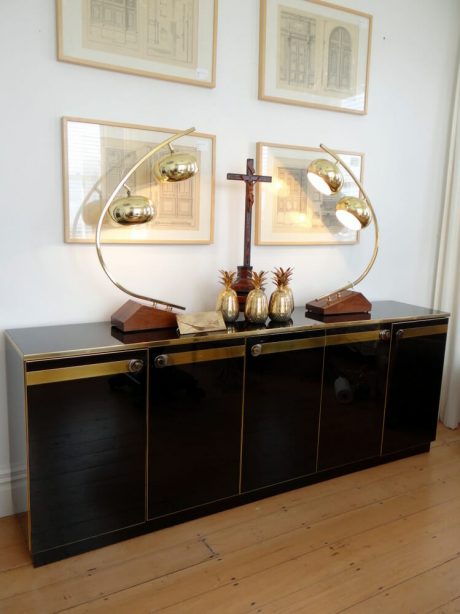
<point x="414" y="387"/>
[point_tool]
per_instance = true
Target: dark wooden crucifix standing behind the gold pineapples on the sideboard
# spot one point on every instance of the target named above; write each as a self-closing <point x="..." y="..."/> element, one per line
<point x="243" y="283"/>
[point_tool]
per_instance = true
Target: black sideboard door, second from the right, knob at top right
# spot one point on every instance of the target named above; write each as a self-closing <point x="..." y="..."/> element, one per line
<point x="352" y="409"/>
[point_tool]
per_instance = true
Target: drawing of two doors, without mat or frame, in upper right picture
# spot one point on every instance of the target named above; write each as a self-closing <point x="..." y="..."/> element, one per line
<point x="315" y="54"/>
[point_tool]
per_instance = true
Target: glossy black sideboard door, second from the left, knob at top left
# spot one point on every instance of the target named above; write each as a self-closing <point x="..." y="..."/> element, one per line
<point x="196" y="395"/>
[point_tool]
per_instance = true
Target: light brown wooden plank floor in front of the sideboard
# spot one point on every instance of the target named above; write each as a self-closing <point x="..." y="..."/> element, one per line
<point x="382" y="540"/>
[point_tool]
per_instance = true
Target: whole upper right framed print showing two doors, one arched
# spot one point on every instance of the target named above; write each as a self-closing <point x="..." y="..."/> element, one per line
<point x="314" y="54"/>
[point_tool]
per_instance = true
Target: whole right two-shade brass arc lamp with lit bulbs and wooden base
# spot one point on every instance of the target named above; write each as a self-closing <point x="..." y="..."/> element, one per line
<point x="355" y="214"/>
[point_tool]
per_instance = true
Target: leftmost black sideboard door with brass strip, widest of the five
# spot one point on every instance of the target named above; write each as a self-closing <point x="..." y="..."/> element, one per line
<point x="87" y="446"/>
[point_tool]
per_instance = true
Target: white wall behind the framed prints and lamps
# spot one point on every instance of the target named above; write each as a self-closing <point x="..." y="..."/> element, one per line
<point x="404" y="137"/>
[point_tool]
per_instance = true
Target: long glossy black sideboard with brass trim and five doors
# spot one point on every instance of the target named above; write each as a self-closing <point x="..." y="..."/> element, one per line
<point x="121" y="434"/>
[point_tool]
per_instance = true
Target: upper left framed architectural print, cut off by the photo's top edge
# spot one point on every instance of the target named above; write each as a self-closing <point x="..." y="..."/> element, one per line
<point x="174" y="42"/>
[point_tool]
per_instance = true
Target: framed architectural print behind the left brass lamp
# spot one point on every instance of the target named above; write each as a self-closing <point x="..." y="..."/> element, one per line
<point x="97" y="154"/>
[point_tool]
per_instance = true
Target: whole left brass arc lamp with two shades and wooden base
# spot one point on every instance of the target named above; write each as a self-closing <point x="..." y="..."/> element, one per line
<point x="136" y="209"/>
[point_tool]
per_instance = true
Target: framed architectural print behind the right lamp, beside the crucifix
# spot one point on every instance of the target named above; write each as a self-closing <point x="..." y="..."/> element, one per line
<point x="290" y="211"/>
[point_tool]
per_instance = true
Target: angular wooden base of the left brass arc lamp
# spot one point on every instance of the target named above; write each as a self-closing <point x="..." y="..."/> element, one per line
<point x="134" y="316"/>
